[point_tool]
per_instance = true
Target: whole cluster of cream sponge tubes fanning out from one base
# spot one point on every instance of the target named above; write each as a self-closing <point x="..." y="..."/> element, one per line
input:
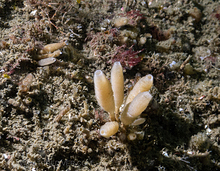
<point x="110" y="96"/>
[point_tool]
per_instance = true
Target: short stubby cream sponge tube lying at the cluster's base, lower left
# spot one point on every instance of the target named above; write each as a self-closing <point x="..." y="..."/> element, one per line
<point x="109" y="129"/>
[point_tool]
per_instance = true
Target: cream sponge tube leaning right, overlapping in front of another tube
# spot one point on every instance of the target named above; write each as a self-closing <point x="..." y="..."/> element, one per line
<point x="136" y="107"/>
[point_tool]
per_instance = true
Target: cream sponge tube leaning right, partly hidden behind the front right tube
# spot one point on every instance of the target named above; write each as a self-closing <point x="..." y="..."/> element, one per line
<point x="144" y="84"/>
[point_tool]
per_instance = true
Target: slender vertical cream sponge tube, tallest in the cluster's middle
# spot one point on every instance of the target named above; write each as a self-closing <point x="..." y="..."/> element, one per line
<point x="117" y="81"/>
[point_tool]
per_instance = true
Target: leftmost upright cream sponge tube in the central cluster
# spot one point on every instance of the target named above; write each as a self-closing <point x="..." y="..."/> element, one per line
<point x="103" y="93"/>
